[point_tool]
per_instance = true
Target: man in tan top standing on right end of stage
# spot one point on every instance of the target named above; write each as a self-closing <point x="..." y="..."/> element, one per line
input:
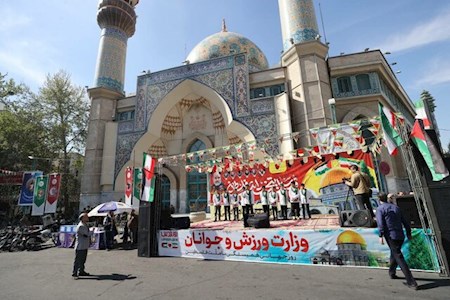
<point x="360" y="183"/>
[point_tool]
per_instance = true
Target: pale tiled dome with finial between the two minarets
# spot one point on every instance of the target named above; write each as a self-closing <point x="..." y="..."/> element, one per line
<point x="227" y="43"/>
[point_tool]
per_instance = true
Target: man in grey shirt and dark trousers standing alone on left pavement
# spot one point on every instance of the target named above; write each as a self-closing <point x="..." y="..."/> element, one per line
<point x="83" y="236"/>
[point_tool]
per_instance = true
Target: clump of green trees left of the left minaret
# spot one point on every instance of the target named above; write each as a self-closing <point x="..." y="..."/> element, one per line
<point x="50" y="126"/>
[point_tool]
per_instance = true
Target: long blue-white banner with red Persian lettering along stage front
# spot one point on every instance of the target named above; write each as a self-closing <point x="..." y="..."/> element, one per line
<point x="355" y="247"/>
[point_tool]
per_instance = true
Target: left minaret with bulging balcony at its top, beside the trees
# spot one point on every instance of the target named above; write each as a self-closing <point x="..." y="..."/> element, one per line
<point x="117" y="19"/>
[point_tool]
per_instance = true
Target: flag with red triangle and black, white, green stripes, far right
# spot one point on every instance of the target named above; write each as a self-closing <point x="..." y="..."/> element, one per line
<point x="429" y="152"/>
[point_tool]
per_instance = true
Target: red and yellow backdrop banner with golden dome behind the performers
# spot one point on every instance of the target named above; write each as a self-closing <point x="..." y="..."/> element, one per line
<point x="321" y="176"/>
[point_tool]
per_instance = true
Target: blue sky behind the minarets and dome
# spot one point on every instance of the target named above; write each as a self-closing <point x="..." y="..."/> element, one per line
<point x="38" y="38"/>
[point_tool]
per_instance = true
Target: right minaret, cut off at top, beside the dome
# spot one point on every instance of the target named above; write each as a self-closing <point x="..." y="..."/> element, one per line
<point x="304" y="57"/>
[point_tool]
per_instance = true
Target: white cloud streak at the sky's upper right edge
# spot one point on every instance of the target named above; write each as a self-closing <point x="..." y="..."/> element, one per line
<point x="435" y="30"/>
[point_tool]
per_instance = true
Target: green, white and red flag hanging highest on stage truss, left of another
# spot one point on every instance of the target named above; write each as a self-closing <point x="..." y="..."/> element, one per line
<point x="388" y="121"/>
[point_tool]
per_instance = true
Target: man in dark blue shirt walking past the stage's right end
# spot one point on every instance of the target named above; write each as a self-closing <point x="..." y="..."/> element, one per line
<point x="390" y="226"/>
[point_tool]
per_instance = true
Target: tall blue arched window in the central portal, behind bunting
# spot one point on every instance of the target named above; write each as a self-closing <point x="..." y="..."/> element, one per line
<point x="196" y="182"/>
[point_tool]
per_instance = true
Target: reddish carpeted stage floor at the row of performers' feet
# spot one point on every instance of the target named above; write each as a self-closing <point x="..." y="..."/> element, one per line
<point x="317" y="222"/>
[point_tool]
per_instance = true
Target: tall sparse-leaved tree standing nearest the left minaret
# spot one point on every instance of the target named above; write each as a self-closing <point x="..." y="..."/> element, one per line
<point x="64" y="111"/>
